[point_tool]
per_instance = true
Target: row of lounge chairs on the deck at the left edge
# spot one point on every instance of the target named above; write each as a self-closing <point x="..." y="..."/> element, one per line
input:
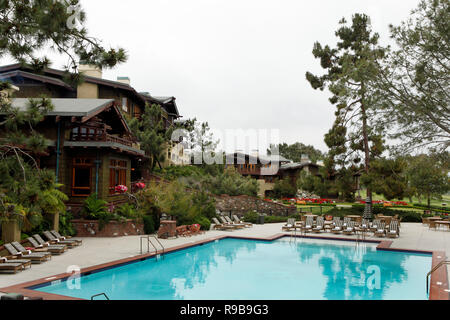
<point x="41" y="251"/>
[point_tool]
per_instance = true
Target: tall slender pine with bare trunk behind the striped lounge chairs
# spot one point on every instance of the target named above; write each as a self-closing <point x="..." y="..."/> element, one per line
<point x="351" y="68"/>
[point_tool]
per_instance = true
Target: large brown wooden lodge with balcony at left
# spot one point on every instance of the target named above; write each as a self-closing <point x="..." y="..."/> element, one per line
<point x="91" y="148"/>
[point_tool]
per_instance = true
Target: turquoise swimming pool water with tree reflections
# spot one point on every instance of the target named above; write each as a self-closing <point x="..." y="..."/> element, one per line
<point x="234" y="269"/>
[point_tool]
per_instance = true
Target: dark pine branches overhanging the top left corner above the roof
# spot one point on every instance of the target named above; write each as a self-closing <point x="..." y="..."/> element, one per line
<point x="29" y="27"/>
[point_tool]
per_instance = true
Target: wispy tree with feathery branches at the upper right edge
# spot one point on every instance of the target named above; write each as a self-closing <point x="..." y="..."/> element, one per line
<point x="416" y="79"/>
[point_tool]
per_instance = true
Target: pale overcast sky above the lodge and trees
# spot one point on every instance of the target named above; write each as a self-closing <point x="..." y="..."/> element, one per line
<point x="234" y="63"/>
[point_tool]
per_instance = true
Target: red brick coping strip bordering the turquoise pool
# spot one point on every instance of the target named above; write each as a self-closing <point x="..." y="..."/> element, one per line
<point x="438" y="281"/>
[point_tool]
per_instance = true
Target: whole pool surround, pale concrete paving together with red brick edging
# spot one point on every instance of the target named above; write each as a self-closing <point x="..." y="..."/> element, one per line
<point x="101" y="253"/>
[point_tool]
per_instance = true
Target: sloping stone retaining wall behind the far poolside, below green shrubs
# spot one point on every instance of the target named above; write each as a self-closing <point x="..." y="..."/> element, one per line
<point x="243" y="204"/>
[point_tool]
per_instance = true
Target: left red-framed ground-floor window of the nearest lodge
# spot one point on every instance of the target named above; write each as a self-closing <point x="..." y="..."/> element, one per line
<point x="82" y="177"/>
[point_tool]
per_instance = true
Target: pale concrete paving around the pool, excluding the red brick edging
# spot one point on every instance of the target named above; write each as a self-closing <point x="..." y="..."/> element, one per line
<point x="95" y="251"/>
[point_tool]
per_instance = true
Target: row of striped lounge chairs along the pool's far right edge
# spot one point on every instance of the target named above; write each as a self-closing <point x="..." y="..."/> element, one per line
<point x="347" y="226"/>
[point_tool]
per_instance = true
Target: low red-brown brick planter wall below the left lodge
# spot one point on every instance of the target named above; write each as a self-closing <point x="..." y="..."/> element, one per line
<point x="90" y="228"/>
